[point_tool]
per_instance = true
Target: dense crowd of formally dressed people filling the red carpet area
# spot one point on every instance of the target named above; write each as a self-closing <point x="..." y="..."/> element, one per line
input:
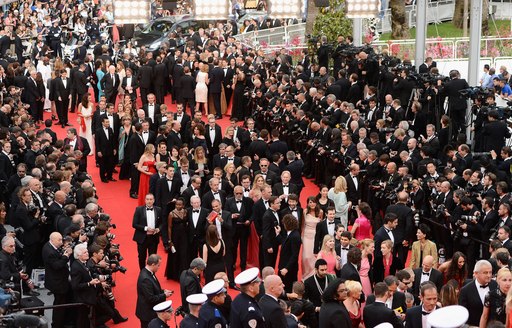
<point x="409" y="216"/>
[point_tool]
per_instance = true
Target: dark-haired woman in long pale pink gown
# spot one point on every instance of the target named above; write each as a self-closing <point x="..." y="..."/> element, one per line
<point x="312" y="215"/>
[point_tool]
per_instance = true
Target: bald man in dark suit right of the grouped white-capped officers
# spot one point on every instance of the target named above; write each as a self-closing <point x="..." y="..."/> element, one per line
<point x="269" y="305"/>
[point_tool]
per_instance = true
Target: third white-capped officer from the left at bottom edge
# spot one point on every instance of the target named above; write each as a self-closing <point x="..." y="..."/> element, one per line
<point x="210" y="315"/>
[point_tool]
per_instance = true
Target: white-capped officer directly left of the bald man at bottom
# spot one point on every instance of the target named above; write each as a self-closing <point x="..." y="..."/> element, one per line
<point x="245" y="311"/>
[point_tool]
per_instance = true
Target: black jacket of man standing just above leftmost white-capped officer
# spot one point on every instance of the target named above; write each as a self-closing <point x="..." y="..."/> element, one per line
<point x="149" y="294"/>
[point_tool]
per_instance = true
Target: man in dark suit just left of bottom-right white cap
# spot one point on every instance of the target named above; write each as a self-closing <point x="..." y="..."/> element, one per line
<point x="416" y="316"/>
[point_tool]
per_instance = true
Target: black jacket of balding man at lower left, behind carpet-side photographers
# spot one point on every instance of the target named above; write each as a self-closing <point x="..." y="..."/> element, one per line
<point x="56" y="270"/>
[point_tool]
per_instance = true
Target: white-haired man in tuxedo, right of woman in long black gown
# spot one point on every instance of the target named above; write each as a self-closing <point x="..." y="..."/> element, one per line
<point x="197" y="224"/>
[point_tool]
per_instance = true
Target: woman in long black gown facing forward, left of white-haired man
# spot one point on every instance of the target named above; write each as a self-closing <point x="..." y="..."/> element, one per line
<point x="177" y="257"/>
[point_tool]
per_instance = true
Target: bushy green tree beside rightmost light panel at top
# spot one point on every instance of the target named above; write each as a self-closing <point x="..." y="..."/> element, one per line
<point x="331" y="21"/>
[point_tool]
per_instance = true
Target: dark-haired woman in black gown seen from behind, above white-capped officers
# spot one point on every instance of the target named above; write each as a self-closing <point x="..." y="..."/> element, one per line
<point x="213" y="253"/>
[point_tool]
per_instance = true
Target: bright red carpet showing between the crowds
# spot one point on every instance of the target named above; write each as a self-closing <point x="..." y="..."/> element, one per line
<point x="115" y="200"/>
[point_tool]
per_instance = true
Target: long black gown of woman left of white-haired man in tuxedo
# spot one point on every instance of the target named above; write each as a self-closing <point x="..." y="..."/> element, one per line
<point x="178" y="261"/>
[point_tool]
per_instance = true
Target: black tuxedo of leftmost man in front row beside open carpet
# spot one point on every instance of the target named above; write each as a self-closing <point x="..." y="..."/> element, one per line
<point x="146" y="244"/>
